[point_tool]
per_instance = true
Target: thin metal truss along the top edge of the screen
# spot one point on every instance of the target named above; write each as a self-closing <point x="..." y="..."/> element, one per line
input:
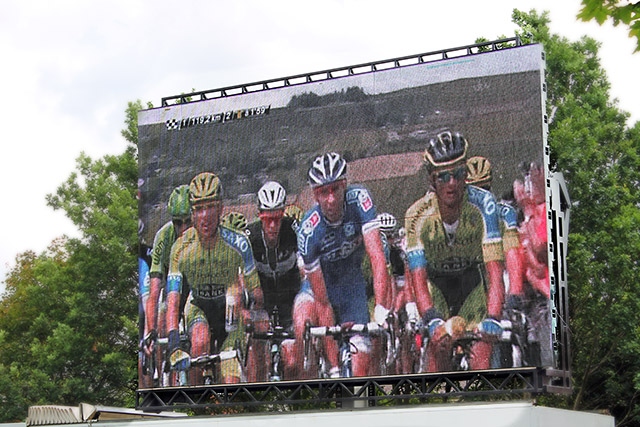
<point x="368" y="67"/>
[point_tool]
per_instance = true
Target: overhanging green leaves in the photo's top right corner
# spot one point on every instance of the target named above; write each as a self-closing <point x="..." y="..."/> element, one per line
<point x="625" y="12"/>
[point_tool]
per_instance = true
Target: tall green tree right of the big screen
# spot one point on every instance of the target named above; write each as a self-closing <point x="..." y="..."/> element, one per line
<point x="600" y="159"/>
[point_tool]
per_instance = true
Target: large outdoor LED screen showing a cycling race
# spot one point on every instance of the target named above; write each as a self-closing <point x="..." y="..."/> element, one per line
<point x="386" y="222"/>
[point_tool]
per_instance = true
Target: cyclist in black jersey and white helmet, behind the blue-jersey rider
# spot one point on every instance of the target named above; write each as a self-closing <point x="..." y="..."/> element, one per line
<point x="275" y="250"/>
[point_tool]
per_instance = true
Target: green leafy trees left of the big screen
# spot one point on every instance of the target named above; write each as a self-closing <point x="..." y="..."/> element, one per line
<point x="68" y="329"/>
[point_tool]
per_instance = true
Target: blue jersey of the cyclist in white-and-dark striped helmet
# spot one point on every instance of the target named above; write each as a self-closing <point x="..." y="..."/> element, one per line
<point x="338" y="249"/>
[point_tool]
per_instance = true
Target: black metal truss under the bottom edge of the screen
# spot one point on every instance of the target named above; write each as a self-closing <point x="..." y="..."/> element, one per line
<point x="349" y="392"/>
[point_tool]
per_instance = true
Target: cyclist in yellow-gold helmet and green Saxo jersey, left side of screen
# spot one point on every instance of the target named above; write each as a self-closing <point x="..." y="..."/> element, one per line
<point x="206" y="262"/>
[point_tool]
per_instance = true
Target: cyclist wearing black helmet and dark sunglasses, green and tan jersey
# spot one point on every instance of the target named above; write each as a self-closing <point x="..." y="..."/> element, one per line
<point x="454" y="252"/>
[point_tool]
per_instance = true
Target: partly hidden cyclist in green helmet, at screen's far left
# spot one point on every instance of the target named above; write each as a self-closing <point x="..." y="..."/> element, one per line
<point x="179" y="209"/>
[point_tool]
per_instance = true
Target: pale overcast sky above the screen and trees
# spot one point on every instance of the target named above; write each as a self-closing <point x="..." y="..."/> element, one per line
<point x="70" y="67"/>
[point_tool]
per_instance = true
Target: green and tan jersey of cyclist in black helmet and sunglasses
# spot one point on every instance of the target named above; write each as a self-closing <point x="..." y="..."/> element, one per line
<point x="454" y="255"/>
